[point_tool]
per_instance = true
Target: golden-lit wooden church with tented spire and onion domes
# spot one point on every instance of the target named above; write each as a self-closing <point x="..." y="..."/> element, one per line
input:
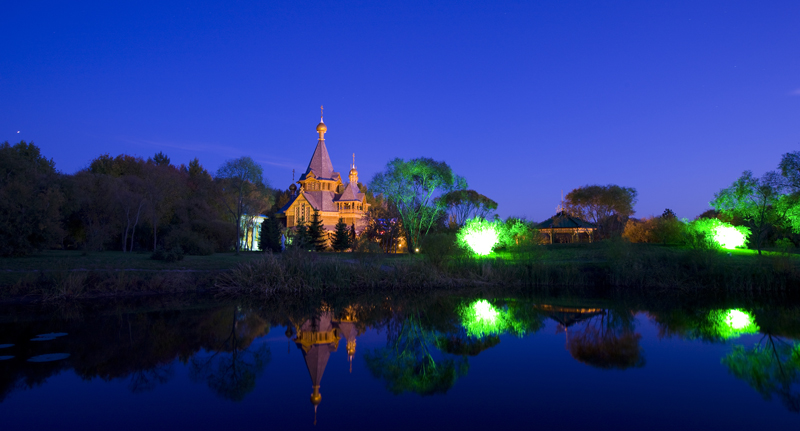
<point x="322" y="189"/>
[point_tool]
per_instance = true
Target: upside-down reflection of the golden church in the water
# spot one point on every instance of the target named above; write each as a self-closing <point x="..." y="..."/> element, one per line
<point x="317" y="338"/>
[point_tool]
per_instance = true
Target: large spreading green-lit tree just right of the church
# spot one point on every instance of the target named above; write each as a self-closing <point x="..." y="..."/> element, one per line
<point x="413" y="187"/>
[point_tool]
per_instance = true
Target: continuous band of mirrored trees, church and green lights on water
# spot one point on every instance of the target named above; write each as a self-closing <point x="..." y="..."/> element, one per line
<point x="428" y="349"/>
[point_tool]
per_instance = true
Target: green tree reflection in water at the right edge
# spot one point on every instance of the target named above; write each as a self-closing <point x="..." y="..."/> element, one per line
<point x="771" y="367"/>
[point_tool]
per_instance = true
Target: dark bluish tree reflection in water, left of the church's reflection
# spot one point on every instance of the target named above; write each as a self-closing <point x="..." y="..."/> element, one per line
<point x="232" y="369"/>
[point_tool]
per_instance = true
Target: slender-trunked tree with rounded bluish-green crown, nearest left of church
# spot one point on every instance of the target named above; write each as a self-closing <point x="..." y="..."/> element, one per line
<point x="238" y="177"/>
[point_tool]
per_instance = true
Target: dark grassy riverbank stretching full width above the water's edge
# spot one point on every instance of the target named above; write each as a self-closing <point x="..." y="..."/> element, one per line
<point x="581" y="268"/>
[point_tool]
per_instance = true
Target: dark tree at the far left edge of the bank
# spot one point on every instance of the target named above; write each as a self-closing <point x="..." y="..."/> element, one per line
<point x="30" y="200"/>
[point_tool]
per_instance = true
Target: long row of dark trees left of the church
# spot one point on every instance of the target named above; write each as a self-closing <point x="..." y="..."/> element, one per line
<point x="125" y="203"/>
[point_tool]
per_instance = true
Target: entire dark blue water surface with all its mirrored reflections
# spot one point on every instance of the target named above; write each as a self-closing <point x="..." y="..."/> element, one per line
<point x="421" y="363"/>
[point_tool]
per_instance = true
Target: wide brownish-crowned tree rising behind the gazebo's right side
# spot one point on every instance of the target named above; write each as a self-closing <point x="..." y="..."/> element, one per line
<point x="599" y="204"/>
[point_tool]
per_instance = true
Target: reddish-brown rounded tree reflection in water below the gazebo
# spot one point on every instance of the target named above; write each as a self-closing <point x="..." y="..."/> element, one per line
<point x="607" y="341"/>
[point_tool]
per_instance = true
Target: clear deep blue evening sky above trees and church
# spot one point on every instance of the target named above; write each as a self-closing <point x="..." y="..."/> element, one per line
<point x="524" y="99"/>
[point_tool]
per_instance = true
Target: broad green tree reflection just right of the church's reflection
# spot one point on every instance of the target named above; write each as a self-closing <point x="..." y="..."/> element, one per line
<point x="408" y="364"/>
